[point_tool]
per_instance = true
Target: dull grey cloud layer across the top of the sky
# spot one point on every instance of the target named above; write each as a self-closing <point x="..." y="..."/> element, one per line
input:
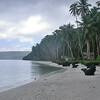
<point x="54" y="11"/>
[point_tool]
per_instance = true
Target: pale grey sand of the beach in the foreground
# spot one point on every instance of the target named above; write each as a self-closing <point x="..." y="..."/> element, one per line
<point x="70" y="84"/>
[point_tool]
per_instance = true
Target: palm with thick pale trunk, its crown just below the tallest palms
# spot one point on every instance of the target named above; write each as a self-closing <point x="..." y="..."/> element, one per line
<point x="87" y="32"/>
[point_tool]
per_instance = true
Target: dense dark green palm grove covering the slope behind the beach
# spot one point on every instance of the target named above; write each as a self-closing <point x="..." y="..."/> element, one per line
<point x="77" y="43"/>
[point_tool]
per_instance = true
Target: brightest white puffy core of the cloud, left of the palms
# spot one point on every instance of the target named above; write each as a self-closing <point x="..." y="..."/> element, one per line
<point x="33" y="25"/>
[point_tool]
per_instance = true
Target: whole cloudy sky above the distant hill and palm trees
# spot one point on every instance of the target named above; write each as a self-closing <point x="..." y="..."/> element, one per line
<point x="23" y="23"/>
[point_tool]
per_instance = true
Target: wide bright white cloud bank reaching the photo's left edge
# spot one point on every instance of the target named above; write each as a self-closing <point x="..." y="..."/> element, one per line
<point x="23" y="30"/>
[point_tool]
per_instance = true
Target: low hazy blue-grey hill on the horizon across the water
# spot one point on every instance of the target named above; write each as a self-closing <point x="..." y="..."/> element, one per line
<point x="13" y="54"/>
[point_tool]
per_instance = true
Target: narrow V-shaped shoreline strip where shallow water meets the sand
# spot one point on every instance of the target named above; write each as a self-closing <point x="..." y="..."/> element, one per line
<point x="24" y="82"/>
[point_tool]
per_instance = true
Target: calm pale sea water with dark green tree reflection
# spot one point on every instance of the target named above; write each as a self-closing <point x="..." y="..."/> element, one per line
<point x="14" y="73"/>
